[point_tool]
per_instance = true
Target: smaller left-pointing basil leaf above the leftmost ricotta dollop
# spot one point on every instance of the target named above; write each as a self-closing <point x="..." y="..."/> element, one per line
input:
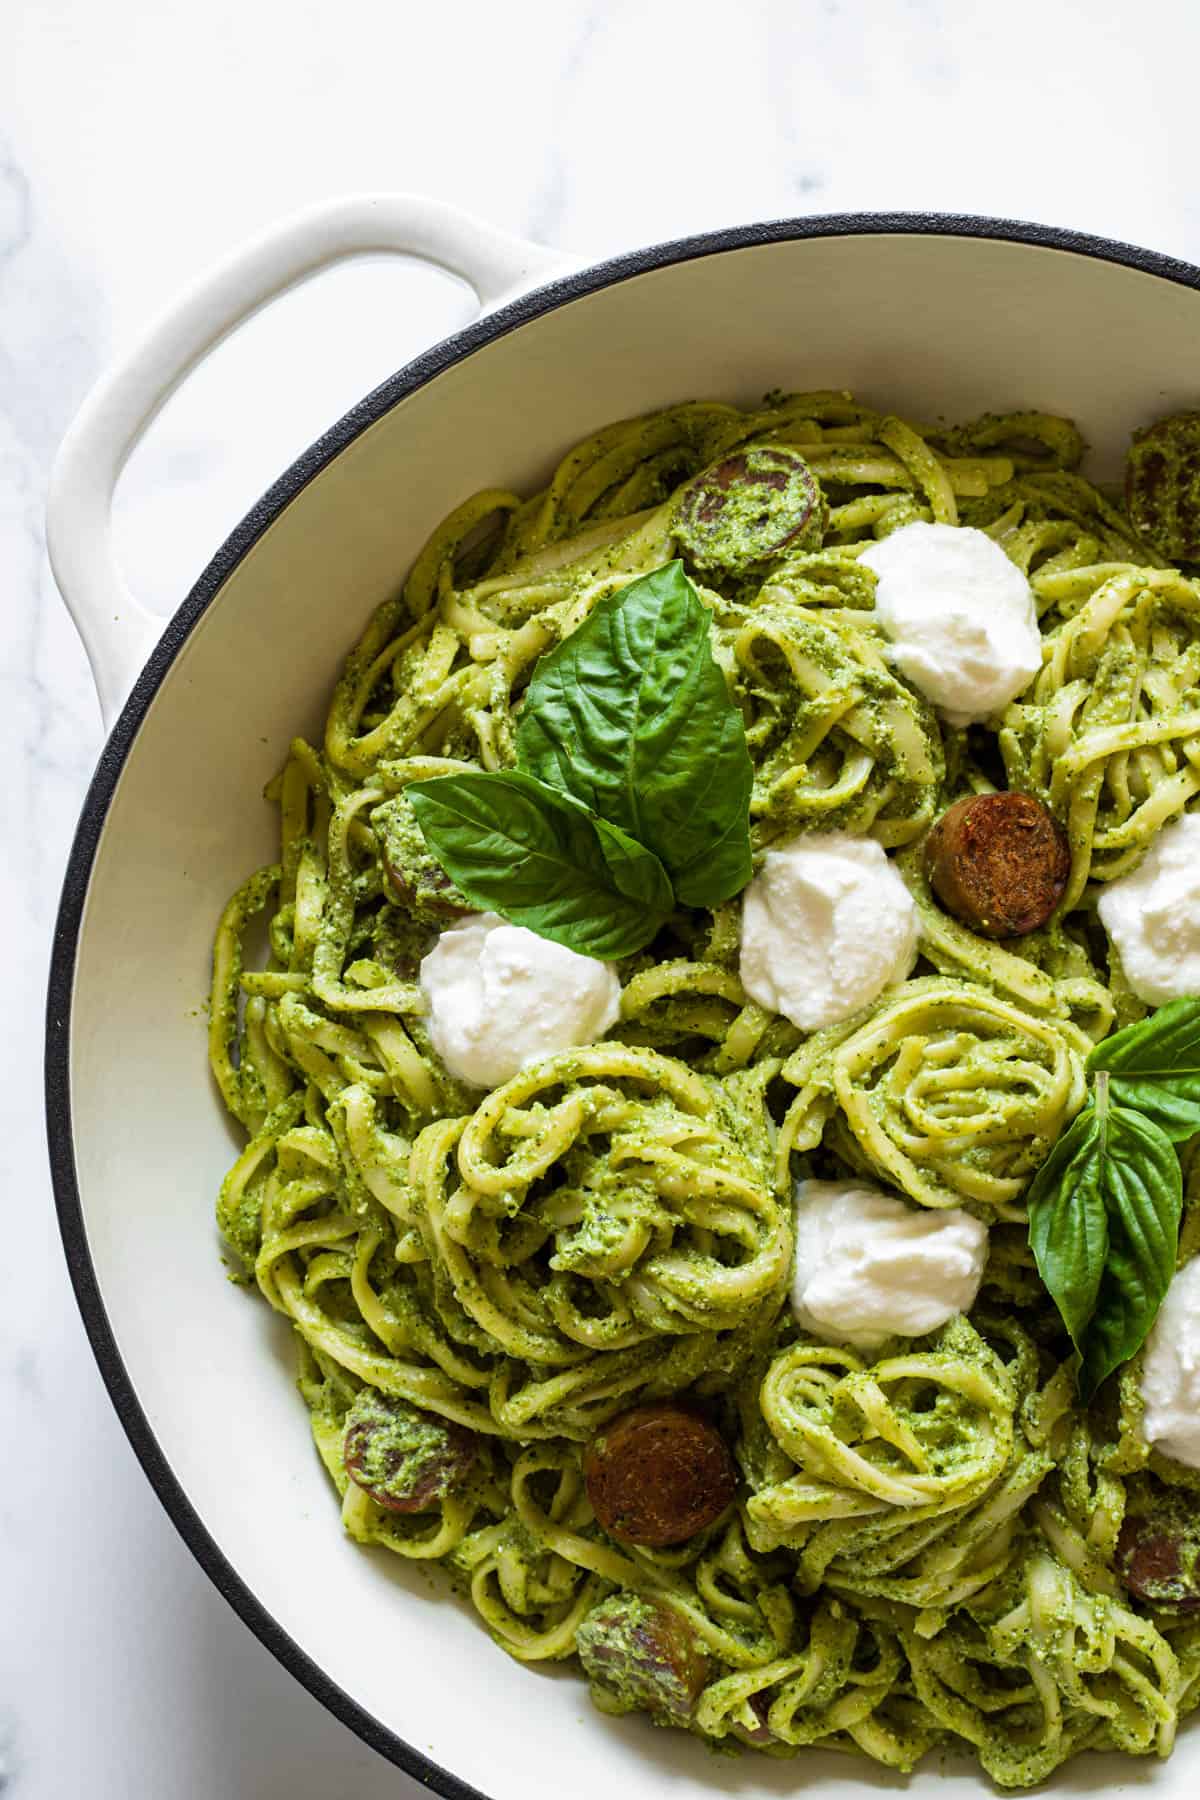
<point x="533" y="856"/>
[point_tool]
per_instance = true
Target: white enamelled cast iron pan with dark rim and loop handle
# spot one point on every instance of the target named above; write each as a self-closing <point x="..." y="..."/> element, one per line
<point x="926" y="316"/>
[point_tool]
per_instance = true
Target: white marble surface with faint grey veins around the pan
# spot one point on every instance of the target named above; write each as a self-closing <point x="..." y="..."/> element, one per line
<point x="139" y="143"/>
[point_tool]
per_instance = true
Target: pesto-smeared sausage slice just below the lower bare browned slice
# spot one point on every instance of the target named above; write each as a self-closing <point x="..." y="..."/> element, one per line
<point x="645" y="1655"/>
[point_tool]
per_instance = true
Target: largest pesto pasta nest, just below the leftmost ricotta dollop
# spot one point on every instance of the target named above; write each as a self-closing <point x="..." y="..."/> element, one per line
<point x="593" y="1203"/>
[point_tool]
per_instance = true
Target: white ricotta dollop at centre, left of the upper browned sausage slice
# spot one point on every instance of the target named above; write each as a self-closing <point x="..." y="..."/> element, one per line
<point x="827" y="926"/>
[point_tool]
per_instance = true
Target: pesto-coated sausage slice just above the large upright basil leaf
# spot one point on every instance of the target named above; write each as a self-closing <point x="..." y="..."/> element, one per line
<point x="751" y="508"/>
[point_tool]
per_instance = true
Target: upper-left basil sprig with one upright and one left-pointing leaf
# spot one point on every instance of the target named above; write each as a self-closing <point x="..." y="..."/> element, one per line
<point x="632" y="789"/>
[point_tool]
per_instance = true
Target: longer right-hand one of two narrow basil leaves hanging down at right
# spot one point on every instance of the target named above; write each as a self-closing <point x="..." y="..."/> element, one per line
<point x="1143" y="1200"/>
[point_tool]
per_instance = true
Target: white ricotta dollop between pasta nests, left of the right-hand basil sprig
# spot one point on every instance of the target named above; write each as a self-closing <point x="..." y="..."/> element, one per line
<point x="868" y="1266"/>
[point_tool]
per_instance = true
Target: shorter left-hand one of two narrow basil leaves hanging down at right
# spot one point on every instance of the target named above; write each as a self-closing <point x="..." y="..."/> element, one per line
<point x="1070" y="1223"/>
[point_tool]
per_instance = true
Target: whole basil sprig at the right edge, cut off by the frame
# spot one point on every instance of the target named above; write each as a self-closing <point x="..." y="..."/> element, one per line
<point x="1106" y="1207"/>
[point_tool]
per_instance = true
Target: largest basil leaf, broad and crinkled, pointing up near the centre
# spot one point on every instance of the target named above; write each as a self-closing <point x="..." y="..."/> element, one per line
<point x="632" y="717"/>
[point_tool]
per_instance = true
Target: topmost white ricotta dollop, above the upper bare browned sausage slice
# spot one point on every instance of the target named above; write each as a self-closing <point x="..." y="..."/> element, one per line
<point x="960" y="615"/>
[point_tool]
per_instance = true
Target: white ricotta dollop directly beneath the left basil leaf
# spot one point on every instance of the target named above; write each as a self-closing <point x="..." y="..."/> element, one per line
<point x="499" y="998"/>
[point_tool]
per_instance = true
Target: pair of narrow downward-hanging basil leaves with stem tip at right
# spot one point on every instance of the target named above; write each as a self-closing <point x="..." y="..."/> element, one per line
<point x="1104" y="1225"/>
